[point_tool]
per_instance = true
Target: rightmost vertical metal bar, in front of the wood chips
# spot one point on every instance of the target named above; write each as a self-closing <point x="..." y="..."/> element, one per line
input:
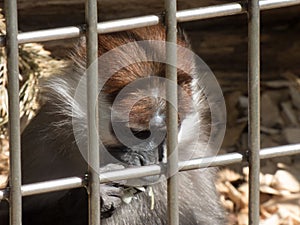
<point x="254" y="108"/>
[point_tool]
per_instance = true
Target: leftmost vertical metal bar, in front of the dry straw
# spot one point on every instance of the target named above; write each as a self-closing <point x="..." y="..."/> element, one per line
<point x="14" y="112"/>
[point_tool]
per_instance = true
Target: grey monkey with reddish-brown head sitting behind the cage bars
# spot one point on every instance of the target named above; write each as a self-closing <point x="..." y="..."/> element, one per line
<point x="53" y="144"/>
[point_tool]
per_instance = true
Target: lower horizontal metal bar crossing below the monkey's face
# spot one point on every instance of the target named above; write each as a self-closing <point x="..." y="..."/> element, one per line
<point x="129" y="173"/>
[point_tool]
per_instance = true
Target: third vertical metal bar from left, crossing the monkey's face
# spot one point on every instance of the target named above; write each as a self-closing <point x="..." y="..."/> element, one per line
<point x="172" y="117"/>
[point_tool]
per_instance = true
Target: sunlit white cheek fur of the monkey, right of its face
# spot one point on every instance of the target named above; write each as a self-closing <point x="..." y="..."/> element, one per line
<point x="191" y="140"/>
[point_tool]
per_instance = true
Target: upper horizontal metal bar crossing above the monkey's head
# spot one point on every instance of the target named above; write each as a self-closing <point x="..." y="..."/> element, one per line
<point x="136" y="22"/>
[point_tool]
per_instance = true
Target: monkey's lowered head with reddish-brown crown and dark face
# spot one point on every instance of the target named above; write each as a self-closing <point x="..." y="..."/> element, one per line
<point x="132" y="128"/>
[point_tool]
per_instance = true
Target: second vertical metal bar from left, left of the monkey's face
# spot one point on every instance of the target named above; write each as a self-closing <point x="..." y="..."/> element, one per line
<point x="92" y="92"/>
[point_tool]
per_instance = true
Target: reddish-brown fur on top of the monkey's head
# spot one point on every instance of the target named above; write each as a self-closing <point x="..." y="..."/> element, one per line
<point x="117" y="76"/>
